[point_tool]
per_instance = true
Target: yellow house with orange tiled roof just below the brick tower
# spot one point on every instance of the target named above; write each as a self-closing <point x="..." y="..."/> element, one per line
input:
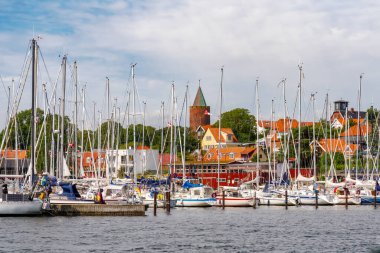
<point x="211" y="140"/>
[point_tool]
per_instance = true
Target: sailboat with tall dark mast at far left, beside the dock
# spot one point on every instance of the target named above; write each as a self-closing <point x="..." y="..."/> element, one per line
<point x="22" y="204"/>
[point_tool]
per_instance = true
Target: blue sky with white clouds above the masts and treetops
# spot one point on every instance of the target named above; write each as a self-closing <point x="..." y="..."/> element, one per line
<point x="187" y="41"/>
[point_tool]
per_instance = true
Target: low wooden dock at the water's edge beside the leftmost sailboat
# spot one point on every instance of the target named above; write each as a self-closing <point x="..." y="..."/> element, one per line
<point x="98" y="210"/>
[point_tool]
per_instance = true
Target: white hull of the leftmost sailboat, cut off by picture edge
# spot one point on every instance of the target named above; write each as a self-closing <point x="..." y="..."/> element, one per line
<point x="21" y="208"/>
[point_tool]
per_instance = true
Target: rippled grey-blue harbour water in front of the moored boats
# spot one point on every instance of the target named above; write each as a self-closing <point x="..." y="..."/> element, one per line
<point x="266" y="229"/>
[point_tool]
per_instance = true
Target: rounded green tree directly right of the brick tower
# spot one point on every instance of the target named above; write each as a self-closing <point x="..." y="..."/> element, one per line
<point x="242" y="123"/>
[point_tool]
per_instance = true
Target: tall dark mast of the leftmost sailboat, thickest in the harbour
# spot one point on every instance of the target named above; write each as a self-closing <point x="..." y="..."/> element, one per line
<point x="34" y="91"/>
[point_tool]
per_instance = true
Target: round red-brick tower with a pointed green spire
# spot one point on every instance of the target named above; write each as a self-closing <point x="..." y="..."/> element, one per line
<point x="199" y="112"/>
